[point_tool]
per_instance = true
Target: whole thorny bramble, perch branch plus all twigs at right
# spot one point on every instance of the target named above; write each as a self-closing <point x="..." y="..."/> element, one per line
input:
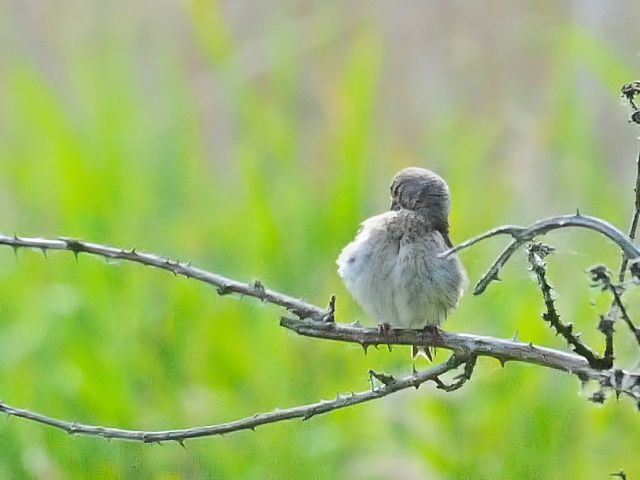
<point x="314" y="321"/>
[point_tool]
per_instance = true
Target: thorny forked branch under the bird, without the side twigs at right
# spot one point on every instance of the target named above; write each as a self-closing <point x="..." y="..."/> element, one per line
<point x="317" y="322"/>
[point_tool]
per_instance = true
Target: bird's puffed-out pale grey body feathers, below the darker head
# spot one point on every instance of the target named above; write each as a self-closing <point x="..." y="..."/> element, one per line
<point x="393" y="271"/>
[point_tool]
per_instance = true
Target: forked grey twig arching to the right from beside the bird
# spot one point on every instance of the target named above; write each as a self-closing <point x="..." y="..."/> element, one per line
<point x="522" y="235"/>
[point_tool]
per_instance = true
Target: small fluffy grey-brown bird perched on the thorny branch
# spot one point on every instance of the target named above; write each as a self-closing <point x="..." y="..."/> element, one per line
<point x="392" y="267"/>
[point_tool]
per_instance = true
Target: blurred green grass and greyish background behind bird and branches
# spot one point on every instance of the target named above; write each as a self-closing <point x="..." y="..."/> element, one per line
<point x="251" y="138"/>
